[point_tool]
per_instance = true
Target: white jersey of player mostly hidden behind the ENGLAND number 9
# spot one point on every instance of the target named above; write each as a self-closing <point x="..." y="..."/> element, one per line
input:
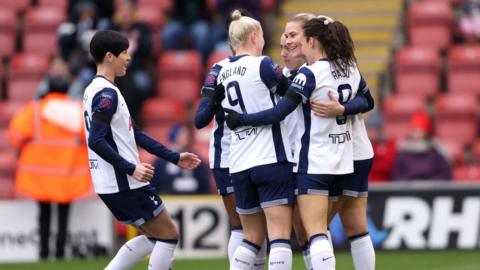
<point x="220" y="137"/>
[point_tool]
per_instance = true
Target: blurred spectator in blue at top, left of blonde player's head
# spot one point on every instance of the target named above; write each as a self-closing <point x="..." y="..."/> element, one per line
<point x="189" y="21"/>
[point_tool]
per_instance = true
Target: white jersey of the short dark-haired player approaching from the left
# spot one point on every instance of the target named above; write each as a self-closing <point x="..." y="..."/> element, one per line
<point x="121" y="138"/>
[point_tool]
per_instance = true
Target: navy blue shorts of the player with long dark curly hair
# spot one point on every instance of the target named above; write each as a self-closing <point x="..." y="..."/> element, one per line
<point x="317" y="184"/>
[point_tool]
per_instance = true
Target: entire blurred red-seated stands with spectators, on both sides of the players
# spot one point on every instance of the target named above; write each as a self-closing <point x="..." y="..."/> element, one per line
<point x="436" y="73"/>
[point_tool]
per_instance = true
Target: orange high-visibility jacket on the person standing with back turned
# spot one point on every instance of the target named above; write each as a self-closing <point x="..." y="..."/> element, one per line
<point x="53" y="161"/>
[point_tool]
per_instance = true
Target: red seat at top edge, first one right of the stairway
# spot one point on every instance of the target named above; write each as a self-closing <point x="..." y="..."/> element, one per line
<point x="429" y="24"/>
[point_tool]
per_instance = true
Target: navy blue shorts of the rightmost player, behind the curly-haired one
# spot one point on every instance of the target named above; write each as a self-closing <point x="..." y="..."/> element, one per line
<point x="354" y="184"/>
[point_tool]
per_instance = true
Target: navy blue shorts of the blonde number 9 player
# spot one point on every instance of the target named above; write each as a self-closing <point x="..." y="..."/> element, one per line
<point x="263" y="186"/>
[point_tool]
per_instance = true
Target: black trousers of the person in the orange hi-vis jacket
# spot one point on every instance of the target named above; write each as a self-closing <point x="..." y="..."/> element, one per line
<point x="44" y="225"/>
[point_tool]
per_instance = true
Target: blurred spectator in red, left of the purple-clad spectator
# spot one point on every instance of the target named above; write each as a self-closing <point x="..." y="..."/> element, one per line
<point x="384" y="149"/>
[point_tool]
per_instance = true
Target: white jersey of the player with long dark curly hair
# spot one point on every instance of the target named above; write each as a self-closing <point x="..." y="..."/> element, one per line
<point x="323" y="145"/>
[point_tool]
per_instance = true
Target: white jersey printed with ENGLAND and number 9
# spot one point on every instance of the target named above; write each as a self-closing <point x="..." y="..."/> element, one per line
<point x="250" y="83"/>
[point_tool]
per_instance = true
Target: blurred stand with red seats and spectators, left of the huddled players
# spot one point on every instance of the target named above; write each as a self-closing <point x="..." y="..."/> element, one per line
<point x="172" y="44"/>
